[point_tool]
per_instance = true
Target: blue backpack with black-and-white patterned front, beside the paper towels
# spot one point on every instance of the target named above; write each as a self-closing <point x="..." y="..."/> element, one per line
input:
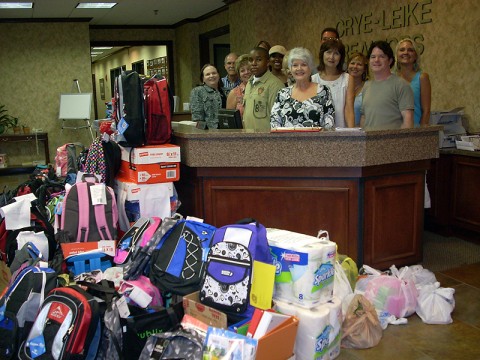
<point x="228" y="271"/>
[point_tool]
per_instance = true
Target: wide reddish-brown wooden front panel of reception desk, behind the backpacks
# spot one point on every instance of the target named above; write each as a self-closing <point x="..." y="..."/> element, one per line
<point x="304" y="206"/>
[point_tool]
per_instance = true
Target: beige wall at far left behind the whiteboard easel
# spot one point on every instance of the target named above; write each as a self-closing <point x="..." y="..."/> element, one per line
<point x="38" y="62"/>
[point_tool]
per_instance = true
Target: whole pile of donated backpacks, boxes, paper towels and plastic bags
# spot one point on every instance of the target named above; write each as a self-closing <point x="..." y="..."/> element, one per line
<point x="91" y="270"/>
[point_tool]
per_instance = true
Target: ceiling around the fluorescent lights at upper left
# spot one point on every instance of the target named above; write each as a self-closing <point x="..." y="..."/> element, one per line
<point x="126" y="12"/>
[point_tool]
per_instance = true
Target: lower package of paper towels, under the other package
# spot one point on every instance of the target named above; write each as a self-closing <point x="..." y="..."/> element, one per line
<point x="319" y="329"/>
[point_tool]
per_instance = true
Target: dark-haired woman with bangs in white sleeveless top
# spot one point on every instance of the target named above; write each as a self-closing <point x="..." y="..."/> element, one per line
<point x="331" y="74"/>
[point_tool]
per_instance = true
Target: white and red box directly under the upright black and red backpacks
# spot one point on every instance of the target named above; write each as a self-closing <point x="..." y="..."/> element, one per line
<point x="152" y="154"/>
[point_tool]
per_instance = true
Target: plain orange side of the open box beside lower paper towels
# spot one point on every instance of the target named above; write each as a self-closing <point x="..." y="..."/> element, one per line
<point x="278" y="343"/>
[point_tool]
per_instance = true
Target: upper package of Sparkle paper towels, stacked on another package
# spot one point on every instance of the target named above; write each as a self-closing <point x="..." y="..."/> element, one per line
<point x="304" y="267"/>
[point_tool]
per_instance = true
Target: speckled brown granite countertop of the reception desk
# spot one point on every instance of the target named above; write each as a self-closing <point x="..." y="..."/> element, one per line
<point x="355" y="148"/>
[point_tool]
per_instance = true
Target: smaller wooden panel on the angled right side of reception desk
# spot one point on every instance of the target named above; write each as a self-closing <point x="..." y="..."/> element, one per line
<point x="392" y="235"/>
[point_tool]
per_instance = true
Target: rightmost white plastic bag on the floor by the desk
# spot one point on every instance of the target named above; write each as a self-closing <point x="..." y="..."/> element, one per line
<point x="435" y="304"/>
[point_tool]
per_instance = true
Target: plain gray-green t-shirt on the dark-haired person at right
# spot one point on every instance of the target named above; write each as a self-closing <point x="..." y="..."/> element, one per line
<point x="384" y="101"/>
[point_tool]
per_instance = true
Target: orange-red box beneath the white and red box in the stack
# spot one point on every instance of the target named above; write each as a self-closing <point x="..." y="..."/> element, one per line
<point x="149" y="173"/>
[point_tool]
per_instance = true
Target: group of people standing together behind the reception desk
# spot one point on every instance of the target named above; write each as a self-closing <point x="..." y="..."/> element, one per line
<point x="273" y="87"/>
